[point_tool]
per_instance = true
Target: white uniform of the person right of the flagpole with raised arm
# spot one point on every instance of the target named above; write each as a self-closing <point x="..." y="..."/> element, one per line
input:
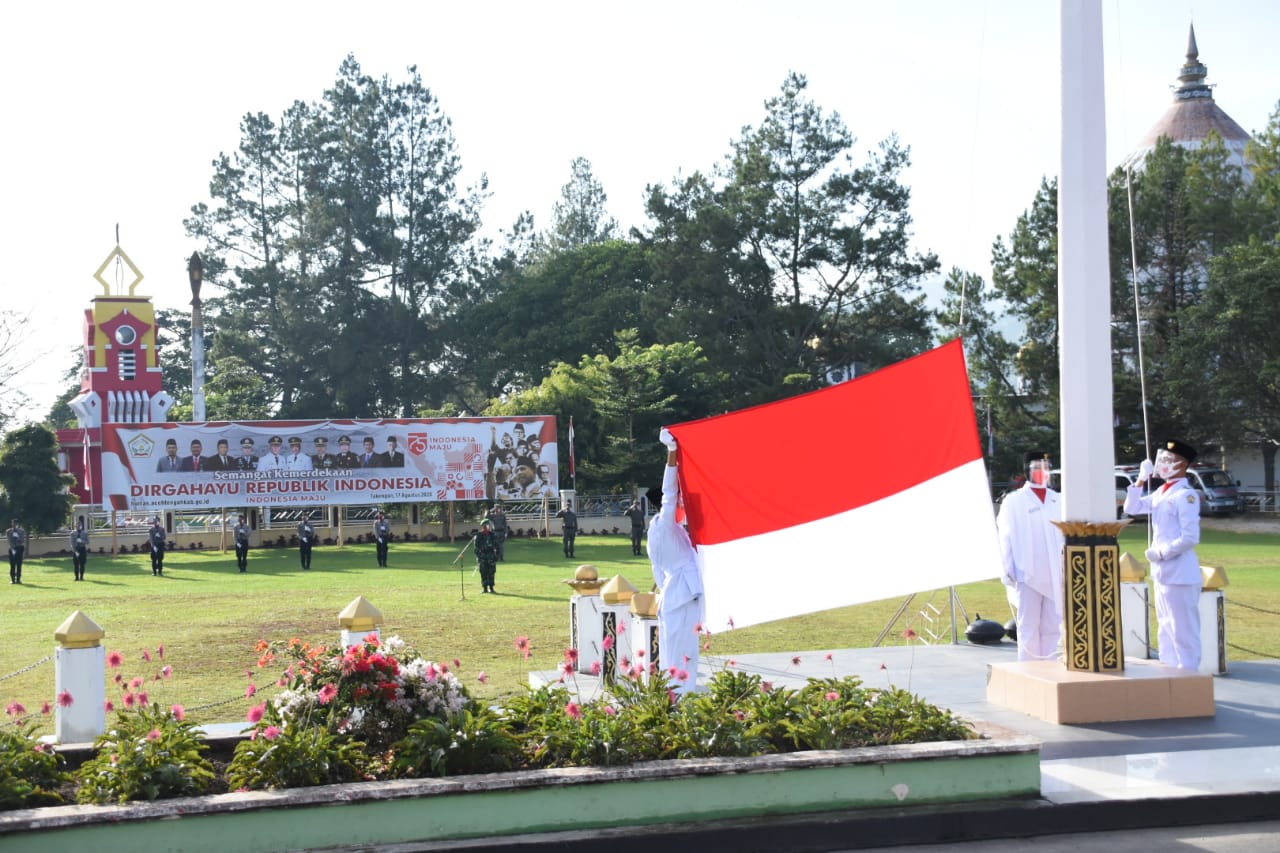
<point x="1174" y="512"/>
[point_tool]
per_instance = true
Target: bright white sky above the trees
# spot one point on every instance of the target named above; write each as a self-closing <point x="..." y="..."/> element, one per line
<point x="116" y="111"/>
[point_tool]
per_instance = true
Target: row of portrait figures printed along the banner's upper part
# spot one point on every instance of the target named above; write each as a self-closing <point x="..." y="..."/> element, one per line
<point x="277" y="459"/>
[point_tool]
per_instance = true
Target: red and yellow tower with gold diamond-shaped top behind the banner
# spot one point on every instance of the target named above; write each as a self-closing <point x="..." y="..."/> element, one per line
<point x="121" y="382"/>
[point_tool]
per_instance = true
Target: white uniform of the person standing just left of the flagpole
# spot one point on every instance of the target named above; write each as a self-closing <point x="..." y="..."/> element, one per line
<point x="1031" y="550"/>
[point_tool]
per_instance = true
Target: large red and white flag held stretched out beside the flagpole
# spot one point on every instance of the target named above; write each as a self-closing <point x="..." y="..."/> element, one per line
<point x="867" y="490"/>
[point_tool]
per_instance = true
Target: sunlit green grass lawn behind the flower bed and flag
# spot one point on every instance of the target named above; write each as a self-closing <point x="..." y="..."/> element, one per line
<point x="211" y="618"/>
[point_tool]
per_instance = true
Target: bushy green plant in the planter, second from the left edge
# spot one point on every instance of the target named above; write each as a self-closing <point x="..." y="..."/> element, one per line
<point x="148" y="755"/>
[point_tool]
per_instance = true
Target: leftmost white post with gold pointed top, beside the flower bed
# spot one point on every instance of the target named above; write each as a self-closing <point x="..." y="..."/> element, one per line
<point x="80" y="681"/>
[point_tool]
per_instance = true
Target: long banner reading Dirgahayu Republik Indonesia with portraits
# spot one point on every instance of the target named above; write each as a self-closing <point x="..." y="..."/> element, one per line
<point x="308" y="463"/>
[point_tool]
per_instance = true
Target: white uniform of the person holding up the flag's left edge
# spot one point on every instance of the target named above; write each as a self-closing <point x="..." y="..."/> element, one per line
<point x="680" y="582"/>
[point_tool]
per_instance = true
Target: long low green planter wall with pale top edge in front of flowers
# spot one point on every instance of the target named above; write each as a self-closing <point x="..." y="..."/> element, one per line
<point x="998" y="767"/>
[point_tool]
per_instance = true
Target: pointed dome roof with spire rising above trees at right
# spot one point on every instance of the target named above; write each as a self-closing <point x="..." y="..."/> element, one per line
<point x="1192" y="117"/>
